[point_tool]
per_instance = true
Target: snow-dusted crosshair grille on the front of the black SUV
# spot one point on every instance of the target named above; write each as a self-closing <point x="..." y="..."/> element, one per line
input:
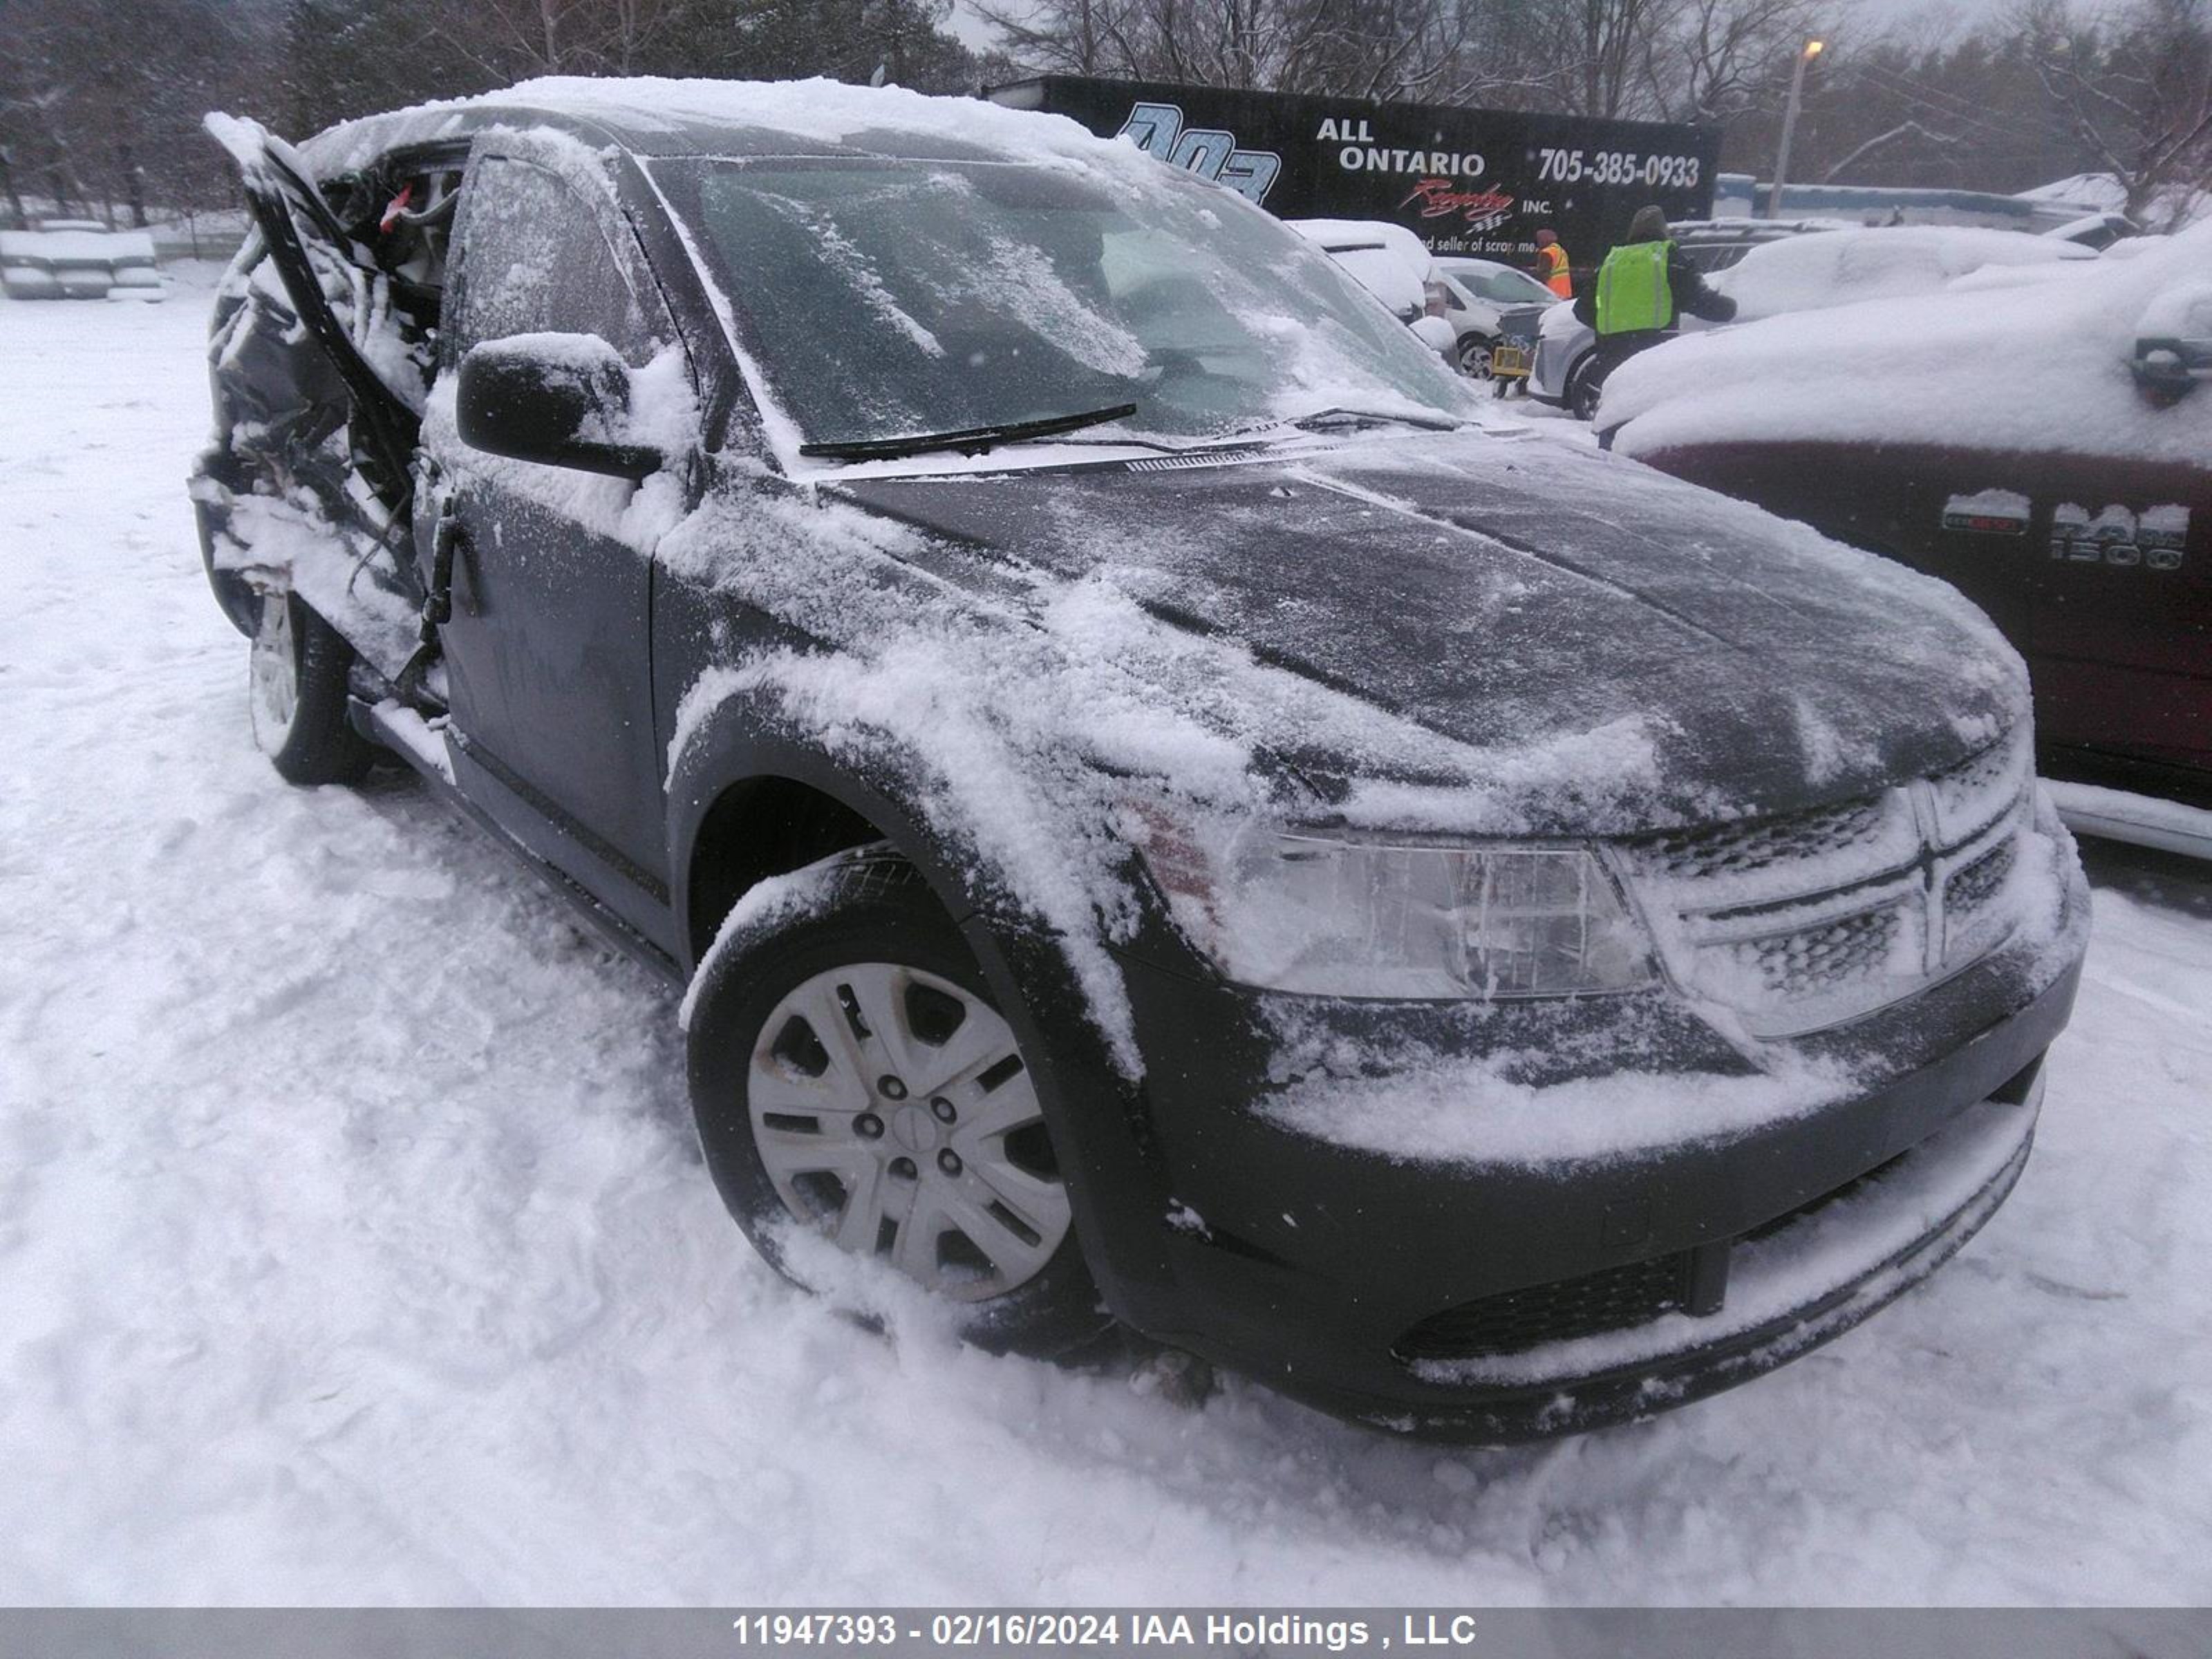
<point x="1815" y="919"/>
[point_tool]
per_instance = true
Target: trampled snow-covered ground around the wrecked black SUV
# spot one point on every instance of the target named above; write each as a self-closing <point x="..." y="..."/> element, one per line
<point x="353" y="1242"/>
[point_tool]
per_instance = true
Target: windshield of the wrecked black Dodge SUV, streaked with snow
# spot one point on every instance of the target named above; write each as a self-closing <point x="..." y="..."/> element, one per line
<point x="888" y="298"/>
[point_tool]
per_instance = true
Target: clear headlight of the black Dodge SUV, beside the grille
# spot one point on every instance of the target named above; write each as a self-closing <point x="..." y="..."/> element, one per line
<point x="1366" y="919"/>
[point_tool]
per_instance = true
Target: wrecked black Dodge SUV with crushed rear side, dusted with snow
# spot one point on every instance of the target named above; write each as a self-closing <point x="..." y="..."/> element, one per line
<point x="1156" y="811"/>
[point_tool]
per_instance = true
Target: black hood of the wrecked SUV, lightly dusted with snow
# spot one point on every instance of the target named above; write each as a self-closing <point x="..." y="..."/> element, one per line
<point x="1523" y="609"/>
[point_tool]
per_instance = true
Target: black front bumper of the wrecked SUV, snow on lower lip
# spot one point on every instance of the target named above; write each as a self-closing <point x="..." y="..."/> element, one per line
<point x="1516" y="1300"/>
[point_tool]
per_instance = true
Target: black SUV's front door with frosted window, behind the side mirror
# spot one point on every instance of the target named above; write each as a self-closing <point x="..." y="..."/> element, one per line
<point x="547" y="649"/>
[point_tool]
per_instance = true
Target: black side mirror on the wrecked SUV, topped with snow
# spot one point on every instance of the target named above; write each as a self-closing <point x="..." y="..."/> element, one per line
<point x="556" y="399"/>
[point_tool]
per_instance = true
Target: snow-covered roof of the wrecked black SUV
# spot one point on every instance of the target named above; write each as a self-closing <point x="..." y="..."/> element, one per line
<point x="729" y="118"/>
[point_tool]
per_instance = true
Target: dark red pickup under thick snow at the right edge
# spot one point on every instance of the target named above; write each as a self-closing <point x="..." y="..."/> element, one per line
<point x="2047" y="448"/>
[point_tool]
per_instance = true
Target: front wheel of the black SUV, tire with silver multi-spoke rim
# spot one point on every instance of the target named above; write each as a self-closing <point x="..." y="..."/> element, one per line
<point x="919" y="1107"/>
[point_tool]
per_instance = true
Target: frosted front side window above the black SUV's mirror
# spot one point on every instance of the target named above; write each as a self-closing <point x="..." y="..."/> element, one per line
<point x="534" y="258"/>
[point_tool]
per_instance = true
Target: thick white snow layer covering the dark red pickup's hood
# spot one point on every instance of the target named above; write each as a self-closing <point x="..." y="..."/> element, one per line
<point x="2041" y="368"/>
